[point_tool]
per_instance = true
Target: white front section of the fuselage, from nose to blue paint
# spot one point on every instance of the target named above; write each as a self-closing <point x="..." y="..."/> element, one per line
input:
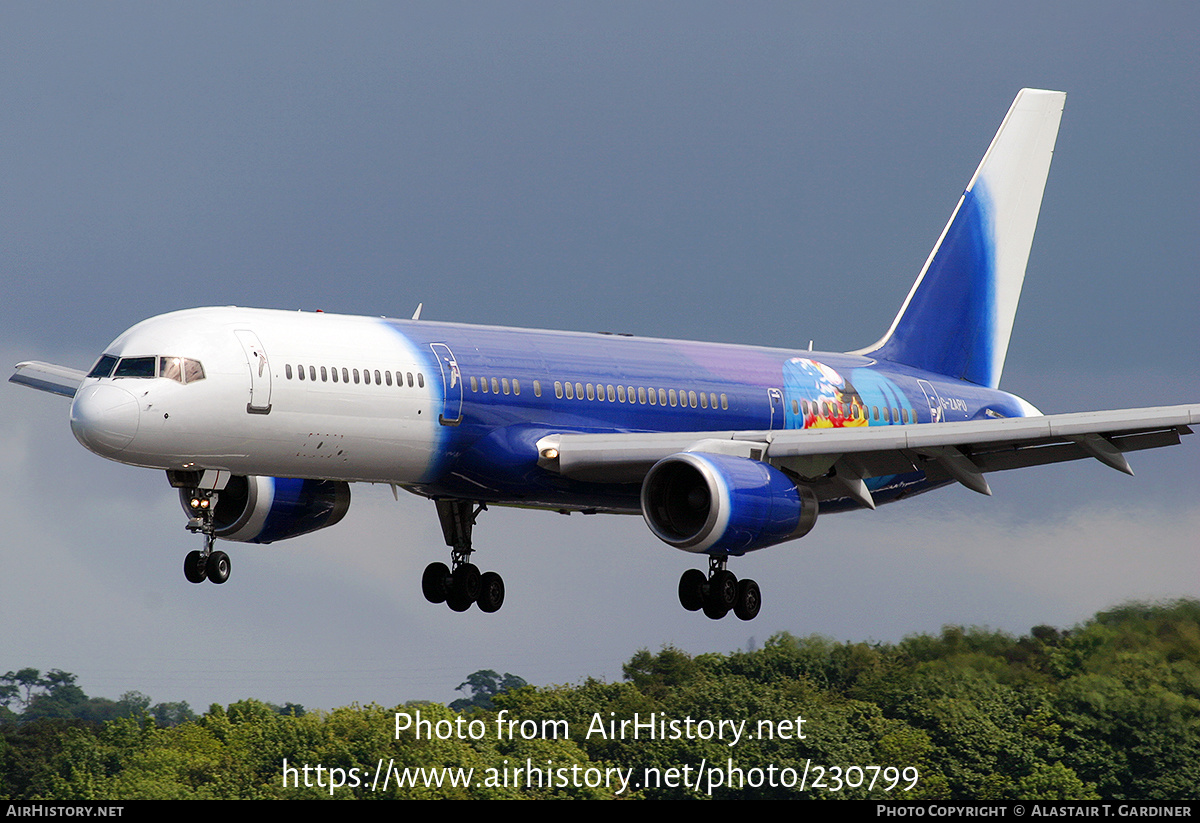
<point x="254" y="423"/>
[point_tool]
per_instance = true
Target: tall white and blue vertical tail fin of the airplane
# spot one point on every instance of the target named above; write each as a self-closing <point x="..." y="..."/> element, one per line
<point x="959" y="315"/>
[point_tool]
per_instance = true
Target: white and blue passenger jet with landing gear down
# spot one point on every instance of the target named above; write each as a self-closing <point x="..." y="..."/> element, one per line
<point x="262" y="418"/>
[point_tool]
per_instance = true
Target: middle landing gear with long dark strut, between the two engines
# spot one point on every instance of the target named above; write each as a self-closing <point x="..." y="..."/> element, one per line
<point x="461" y="585"/>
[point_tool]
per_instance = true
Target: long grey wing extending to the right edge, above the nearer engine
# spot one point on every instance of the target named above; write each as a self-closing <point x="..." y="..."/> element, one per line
<point x="837" y="461"/>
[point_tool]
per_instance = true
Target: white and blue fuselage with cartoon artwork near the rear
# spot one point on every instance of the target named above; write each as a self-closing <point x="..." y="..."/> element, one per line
<point x="457" y="411"/>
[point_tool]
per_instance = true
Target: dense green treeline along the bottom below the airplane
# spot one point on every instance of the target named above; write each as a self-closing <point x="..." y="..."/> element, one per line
<point x="1107" y="711"/>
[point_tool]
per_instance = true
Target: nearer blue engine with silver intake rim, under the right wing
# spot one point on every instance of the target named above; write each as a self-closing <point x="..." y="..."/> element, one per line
<point x="719" y="504"/>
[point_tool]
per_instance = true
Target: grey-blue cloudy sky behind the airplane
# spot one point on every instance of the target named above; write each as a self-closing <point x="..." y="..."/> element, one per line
<point x="760" y="173"/>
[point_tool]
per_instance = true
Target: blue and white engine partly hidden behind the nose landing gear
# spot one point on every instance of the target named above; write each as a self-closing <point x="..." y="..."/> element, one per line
<point x="262" y="510"/>
